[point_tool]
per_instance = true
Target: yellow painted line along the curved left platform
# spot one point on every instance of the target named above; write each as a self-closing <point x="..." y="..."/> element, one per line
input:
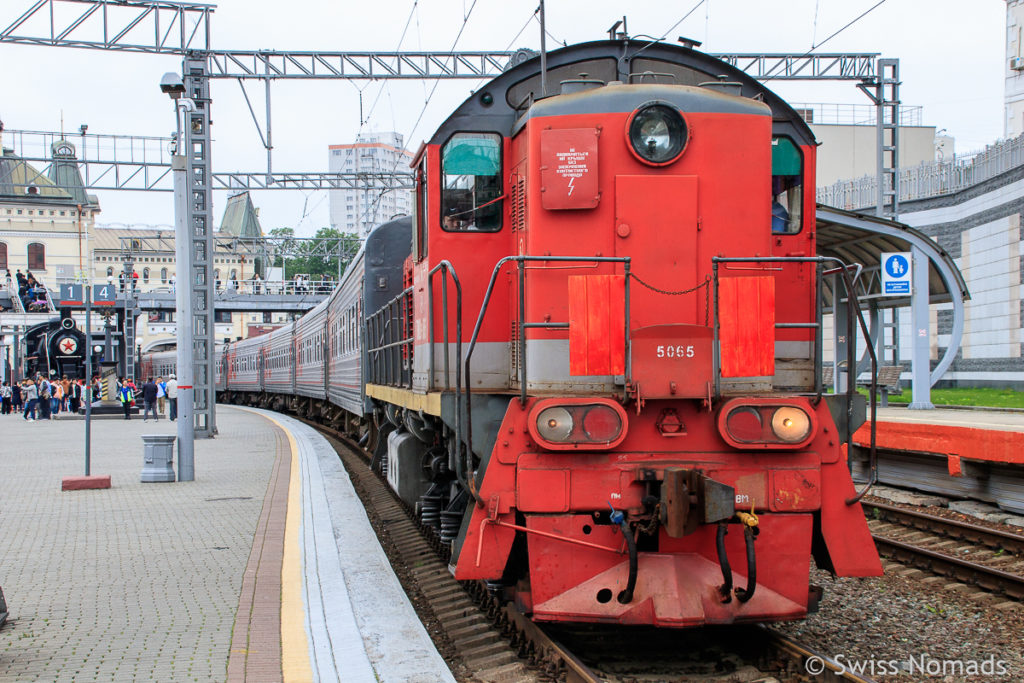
<point x="295" y="661"/>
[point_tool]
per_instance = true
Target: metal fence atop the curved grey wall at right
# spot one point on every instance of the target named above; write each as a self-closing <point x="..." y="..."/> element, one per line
<point x="930" y="180"/>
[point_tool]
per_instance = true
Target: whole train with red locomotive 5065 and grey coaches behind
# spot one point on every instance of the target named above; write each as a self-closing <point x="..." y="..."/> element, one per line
<point x="591" y="361"/>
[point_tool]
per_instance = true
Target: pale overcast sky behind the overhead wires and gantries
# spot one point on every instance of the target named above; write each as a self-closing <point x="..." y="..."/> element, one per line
<point x="952" y="60"/>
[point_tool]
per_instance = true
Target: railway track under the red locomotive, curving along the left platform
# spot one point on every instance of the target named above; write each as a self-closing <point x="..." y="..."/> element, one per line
<point x="498" y="644"/>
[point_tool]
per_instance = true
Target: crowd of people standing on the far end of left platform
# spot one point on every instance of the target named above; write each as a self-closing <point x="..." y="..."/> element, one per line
<point x="41" y="399"/>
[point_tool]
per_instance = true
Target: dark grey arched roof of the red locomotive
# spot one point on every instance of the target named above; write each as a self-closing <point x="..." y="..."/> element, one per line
<point x="511" y="95"/>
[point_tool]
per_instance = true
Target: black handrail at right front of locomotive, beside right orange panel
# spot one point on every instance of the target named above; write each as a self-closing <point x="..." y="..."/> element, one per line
<point x="854" y="304"/>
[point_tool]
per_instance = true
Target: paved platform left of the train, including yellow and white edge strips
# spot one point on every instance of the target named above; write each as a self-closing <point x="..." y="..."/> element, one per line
<point x="265" y="569"/>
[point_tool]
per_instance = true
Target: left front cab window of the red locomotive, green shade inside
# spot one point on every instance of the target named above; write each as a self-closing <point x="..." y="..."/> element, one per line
<point x="472" y="189"/>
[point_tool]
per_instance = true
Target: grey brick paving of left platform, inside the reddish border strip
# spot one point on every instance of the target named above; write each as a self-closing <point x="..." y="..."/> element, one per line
<point x="137" y="582"/>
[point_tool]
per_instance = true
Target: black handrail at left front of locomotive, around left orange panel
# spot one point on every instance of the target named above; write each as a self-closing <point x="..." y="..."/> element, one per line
<point x="520" y="261"/>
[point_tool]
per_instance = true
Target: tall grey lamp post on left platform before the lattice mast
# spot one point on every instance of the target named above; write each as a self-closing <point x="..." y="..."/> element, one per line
<point x="173" y="84"/>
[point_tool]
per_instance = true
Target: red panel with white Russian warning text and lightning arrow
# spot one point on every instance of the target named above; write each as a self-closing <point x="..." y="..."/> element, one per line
<point x="569" y="168"/>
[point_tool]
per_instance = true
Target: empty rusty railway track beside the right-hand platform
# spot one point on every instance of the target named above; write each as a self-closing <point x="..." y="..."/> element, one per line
<point x="991" y="560"/>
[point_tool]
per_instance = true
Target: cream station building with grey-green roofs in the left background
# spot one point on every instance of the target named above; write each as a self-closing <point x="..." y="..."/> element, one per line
<point x="49" y="228"/>
